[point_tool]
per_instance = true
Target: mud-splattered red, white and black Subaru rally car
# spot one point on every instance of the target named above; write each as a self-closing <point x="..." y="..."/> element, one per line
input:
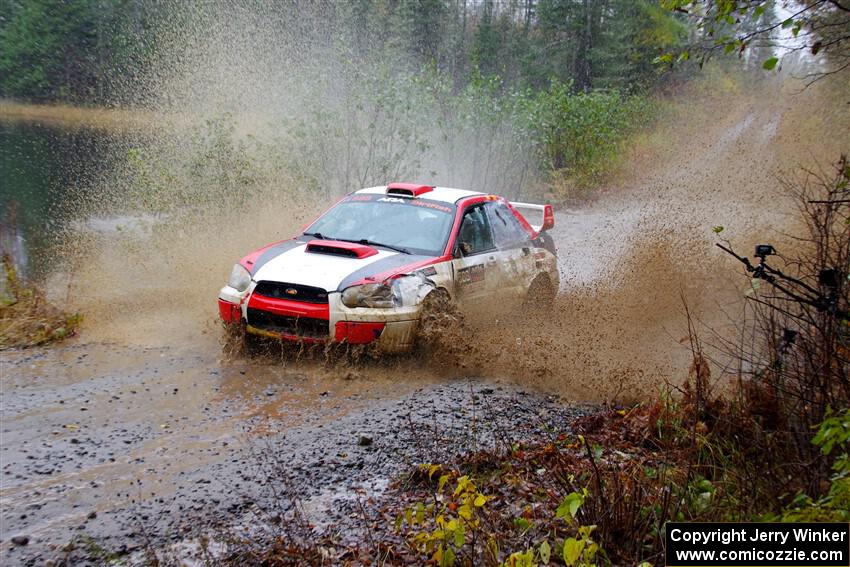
<point x="362" y="272"/>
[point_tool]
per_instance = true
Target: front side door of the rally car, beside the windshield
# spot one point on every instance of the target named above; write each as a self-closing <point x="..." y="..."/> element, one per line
<point x="475" y="263"/>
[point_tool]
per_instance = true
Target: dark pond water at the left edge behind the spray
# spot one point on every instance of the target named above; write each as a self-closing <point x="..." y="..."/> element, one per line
<point x="44" y="171"/>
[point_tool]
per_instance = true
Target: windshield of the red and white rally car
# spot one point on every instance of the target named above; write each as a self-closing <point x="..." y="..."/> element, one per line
<point x="418" y="226"/>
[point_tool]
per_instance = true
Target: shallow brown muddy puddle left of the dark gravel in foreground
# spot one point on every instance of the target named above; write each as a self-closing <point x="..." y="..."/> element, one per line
<point x="89" y="429"/>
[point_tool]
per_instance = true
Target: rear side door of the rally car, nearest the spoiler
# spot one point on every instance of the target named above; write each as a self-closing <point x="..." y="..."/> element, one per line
<point x="514" y="252"/>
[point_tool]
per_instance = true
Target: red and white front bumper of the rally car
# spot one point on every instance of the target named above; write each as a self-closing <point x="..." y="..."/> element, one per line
<point x="392" y="330"/>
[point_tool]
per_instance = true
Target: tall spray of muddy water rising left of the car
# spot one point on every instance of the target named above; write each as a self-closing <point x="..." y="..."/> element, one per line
<point x="256" y="124"/>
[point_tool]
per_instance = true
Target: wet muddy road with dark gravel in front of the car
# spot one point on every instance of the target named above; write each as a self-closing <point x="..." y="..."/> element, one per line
<point x="131" y="446"/>
